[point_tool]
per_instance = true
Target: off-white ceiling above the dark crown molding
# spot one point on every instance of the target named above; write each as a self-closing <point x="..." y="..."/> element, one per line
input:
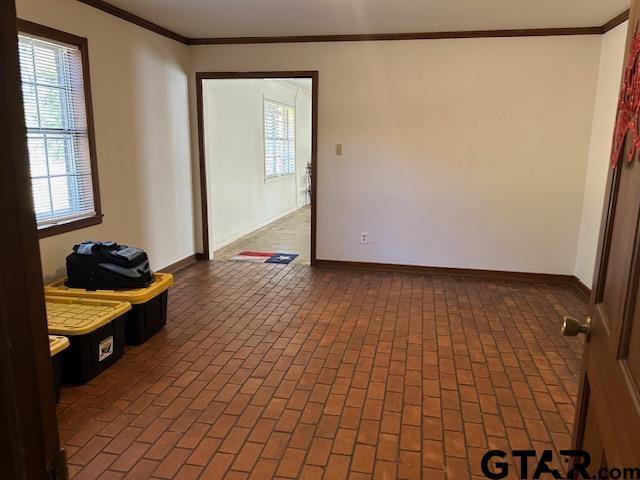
<point x="240" y="18"/>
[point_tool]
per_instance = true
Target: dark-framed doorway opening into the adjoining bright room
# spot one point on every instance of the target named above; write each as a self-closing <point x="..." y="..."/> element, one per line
<point x="258" y="142"/>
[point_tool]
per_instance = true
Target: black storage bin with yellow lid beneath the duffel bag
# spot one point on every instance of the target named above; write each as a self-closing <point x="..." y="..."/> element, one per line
<point x="149" y="312"/>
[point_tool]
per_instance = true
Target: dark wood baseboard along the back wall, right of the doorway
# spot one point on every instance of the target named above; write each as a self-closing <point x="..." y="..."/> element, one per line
<point x="465" y="272"/>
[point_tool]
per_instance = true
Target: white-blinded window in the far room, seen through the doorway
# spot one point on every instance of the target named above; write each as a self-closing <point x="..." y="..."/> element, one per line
<point x="279" y="139"/>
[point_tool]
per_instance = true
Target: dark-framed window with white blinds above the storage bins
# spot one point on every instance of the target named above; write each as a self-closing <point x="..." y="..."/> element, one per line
<point x="55" y="88"/>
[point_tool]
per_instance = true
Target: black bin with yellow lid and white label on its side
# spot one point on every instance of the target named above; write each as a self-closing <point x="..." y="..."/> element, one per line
<point x="95" y="329"/>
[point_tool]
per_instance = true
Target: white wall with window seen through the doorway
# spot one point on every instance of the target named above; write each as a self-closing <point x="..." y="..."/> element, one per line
<point x="240" y="199"/>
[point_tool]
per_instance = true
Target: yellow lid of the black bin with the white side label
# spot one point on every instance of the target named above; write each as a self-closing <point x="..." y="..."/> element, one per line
<point x="79" y="316"/>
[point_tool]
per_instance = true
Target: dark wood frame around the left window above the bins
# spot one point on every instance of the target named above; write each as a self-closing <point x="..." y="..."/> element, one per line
<point x="82" y="43"/>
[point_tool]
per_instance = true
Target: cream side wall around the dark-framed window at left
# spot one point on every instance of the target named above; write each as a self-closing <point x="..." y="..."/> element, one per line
<point x="140" y="100"/>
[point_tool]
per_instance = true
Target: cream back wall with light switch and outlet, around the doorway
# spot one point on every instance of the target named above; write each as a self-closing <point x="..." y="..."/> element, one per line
<point x="457" y="153"/>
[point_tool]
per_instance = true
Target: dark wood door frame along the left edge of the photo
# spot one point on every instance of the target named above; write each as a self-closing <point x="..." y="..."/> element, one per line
<point x="30" y="443"/>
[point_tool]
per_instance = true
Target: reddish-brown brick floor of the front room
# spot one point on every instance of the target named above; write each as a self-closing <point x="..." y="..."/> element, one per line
<point x="272" y="371"/>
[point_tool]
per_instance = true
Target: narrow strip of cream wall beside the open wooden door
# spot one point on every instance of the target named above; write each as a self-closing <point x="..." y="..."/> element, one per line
<point x="609" y="76"/>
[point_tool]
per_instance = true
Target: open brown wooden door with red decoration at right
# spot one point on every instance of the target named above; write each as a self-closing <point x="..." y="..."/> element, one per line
<point x="608" y="416"/>
